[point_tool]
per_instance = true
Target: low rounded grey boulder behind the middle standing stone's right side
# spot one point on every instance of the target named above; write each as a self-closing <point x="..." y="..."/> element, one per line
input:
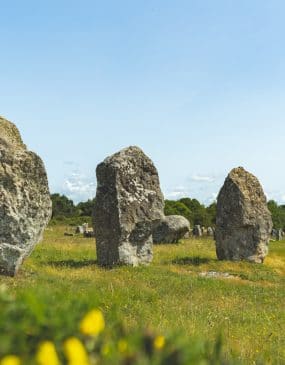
<point x="171" y="229"/>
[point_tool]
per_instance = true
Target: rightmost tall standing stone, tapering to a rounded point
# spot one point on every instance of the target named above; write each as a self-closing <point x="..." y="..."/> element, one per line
<point x="244" y="222"/>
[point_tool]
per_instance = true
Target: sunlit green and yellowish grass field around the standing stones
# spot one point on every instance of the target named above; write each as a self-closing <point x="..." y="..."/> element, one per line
<point x="174" y="296"/>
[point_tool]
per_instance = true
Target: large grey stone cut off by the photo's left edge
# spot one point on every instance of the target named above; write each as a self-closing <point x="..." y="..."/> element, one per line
<point x="25" y="205"/>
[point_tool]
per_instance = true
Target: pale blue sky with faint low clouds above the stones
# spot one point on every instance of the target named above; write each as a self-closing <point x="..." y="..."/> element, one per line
<point x="199" y="85"/>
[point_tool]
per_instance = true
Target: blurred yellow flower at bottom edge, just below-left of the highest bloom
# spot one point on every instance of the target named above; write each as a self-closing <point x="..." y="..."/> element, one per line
<point x="75" y="352"/>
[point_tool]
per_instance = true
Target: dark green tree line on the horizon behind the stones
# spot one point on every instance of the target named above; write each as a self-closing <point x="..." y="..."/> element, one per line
<point x="192" y="209"/>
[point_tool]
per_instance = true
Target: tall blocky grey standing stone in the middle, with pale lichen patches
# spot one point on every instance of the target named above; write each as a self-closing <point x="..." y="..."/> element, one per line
<point x="129" y="203"/>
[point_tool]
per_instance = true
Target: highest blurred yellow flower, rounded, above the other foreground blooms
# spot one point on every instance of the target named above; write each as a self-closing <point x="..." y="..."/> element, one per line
<point x="93" y="323"/>
